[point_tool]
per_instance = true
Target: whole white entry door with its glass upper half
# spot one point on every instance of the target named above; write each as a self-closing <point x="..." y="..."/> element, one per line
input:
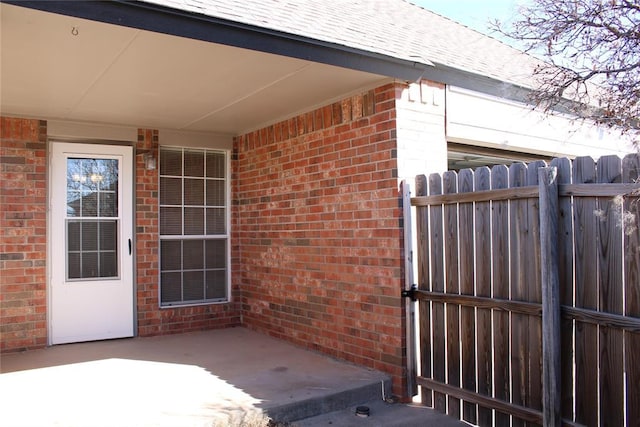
<point x="90" y="217"/>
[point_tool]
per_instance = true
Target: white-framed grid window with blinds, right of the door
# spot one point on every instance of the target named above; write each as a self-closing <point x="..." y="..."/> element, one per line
<point x="193" y="226"/>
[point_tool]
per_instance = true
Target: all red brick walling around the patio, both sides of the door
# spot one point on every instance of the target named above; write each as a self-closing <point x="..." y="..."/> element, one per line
<point x="316" y="235"/>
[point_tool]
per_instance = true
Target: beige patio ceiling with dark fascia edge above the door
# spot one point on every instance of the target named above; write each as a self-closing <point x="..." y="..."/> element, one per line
<point x="145" y="66"/>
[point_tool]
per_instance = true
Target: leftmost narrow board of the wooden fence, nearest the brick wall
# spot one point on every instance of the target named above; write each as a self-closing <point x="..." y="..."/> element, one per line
<point x="424" y="310"/>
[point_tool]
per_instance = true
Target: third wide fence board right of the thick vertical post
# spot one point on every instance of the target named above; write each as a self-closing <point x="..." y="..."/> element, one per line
<point x="609" y="169"/>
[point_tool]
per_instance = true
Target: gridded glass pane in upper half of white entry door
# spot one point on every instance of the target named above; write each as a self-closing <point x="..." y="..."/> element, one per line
<point x="92" y="224"/>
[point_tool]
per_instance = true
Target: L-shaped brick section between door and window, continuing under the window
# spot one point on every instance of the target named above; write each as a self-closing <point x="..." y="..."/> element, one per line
<point x="151" y="319"/>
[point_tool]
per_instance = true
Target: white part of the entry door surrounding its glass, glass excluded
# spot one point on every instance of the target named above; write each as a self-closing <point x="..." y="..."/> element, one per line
<point x="99" y="308"/>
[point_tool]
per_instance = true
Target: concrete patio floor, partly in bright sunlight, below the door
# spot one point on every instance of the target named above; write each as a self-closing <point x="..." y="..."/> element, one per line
<point x="220" y="377"/>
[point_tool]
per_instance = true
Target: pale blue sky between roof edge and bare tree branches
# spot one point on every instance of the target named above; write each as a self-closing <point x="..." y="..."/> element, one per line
<point x="473" y="13"/>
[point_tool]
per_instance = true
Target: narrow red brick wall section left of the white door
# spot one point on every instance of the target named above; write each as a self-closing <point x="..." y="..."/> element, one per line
<point x="23" y="319"/>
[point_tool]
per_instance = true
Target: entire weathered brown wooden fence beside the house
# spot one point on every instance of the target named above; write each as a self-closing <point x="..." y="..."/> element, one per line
<point x="481" y="278"/>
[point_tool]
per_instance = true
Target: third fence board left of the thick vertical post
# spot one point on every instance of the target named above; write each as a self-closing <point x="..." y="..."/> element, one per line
<point x="500" y="285"/>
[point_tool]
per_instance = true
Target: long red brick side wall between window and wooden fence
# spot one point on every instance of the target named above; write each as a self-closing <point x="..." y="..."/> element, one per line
<point x="317" y="232"/>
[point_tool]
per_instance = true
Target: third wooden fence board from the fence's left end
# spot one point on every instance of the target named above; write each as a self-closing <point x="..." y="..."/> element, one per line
<point x="450" y="186"/>
